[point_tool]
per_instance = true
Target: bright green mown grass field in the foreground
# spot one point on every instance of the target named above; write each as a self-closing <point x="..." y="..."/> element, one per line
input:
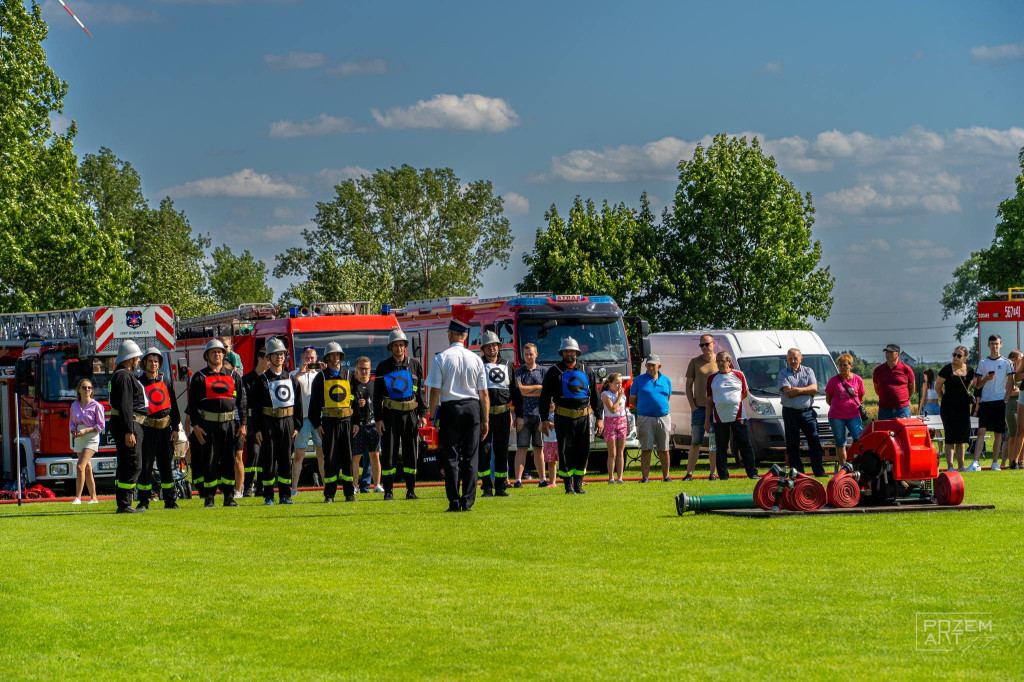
<point x="541" y="585"/>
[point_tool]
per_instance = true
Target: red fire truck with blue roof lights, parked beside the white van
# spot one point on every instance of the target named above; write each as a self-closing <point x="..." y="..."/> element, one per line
<point x="542" y="319"/>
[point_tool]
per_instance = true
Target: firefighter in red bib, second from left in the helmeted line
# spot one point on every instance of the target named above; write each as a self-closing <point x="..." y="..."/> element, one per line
<point x="160" y="431"/>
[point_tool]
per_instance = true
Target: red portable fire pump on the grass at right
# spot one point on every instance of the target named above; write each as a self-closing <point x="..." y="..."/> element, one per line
<point x="894" y="462"/>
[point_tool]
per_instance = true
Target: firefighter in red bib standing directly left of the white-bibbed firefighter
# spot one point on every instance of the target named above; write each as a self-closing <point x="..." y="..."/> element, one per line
<point x="215" y="398"/>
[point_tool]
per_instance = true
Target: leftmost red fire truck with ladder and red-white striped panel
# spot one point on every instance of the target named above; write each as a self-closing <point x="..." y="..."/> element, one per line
<point x="42" y="357"/>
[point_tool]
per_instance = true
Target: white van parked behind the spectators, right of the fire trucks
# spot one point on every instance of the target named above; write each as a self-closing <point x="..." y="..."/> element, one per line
<point x="760" y="356"/>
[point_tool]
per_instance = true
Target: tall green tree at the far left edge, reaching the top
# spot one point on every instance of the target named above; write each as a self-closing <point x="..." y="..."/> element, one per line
<point x="54" y="254"/>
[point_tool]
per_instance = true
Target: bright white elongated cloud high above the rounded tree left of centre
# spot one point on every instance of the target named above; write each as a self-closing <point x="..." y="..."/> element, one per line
<point x="448" y="112"/>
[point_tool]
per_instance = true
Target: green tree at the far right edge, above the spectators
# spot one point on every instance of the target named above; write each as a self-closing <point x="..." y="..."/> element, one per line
<point x="991" y="271"/>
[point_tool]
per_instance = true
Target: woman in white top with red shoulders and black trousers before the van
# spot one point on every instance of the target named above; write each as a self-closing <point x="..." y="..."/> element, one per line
<point x="727" y="391"/>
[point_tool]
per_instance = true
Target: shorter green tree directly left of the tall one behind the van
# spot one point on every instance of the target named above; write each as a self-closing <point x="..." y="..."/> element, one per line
<point x="616" y="251"/>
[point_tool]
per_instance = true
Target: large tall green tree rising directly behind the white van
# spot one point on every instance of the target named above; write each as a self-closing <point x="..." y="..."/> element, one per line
<point x="741" y="243"/>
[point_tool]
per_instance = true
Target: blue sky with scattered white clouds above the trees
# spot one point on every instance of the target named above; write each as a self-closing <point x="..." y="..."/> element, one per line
<point x="903" y="119"/>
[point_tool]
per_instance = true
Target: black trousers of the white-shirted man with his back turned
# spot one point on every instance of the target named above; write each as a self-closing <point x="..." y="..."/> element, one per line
<point x="460" y="437"/>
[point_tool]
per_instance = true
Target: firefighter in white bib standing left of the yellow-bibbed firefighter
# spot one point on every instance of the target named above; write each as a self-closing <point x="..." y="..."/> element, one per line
<point x="277" y="412"/>
